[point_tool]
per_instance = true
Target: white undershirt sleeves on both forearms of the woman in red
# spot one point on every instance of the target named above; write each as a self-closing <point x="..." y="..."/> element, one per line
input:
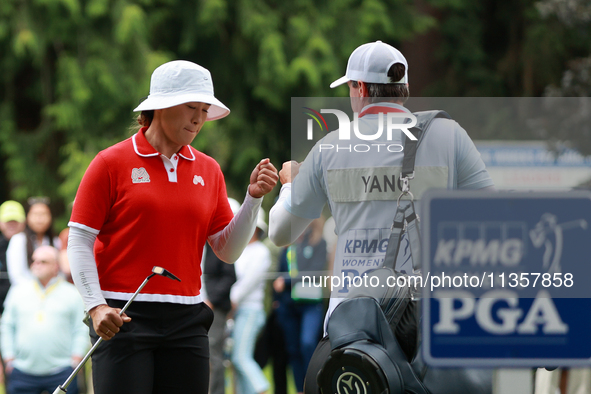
<point x="227" y="244"/>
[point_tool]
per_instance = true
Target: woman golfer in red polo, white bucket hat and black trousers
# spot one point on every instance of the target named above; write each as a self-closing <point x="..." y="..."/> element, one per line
<point x="154" y="200"/>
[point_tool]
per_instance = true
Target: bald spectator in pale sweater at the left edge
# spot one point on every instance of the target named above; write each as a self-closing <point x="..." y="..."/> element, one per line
<point x="42" y="333"/>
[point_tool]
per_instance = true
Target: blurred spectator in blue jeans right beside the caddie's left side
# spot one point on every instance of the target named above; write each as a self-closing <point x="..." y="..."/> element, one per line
<point x="301" y="307"/>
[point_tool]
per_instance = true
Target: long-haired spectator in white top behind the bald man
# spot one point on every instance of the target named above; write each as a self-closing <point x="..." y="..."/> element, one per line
<point x="38" y="231"/>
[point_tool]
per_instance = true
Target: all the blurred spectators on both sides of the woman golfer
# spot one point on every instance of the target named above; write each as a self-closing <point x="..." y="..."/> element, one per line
<point x="263" y="315"/>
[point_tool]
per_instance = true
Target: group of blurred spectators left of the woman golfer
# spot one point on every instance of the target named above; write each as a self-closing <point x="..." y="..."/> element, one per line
<point x="42" y="334"/>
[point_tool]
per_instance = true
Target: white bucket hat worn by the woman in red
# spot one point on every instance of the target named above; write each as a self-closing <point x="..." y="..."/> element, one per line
<point x="180" y="82"/>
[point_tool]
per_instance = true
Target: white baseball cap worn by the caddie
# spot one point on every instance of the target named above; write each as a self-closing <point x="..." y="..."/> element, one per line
<point x="370" y="63"/>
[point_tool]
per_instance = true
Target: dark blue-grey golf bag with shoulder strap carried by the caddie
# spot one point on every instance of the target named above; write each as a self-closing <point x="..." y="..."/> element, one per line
<point x="374" y="334"/>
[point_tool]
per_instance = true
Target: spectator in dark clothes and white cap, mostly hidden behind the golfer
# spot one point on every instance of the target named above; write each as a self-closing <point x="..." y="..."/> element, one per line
<point x="218" y="278"/>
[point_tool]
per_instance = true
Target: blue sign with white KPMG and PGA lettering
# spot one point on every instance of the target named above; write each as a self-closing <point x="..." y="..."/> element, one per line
<point x="506" y="279"/>
